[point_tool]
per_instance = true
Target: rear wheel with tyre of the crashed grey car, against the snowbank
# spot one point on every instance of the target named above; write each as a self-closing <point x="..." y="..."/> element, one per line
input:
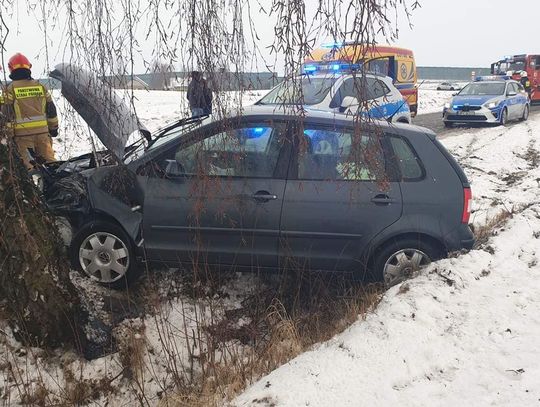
<point x="400" y="259"/>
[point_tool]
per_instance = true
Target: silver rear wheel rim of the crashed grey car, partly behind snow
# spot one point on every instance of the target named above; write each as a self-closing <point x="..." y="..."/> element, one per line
<point x="403" y="264"/>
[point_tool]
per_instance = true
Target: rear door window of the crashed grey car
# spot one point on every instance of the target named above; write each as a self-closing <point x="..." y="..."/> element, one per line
<point x="340" y="155"/>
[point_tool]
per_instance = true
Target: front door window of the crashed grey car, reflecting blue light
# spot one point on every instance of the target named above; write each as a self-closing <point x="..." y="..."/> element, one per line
<point x="251" y="151"/>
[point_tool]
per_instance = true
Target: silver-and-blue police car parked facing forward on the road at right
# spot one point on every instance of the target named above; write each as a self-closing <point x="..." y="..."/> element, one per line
<point x="489" y="99"/>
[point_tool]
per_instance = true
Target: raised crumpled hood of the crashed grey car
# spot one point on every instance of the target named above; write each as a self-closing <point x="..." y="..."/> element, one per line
<point x="100" y="106"/>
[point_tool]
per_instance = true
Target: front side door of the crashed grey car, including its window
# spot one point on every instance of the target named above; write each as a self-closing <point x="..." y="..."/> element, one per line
<point x="216" y="198"/>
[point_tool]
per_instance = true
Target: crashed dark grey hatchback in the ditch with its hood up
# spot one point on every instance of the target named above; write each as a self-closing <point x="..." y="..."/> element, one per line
<point x="263" y="190"/>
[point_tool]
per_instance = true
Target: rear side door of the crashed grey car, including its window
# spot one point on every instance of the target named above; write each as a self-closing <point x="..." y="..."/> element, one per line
<point x="338" y="197"/>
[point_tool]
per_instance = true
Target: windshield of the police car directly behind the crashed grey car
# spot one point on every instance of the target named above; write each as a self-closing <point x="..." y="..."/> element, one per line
<point x="314" y="90"/>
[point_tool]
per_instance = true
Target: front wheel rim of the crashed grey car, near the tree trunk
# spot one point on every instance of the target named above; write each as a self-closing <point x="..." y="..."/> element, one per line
<point x="104" y="257"/>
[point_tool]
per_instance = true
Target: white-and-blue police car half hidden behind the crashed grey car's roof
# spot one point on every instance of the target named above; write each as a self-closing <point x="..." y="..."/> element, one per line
<point x="338" y="88"/>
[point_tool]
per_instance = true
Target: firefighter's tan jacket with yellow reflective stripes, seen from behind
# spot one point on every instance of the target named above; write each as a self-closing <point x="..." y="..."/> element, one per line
<point x="29" y="107"/>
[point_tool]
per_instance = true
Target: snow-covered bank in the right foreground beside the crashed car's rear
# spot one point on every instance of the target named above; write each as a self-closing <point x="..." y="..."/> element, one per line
<point x="463" y="332"/>
